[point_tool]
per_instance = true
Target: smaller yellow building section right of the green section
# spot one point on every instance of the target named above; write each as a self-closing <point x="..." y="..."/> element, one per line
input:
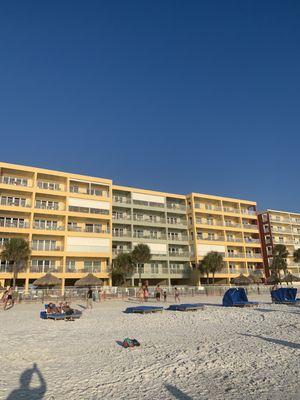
<point x="228" y="226"/>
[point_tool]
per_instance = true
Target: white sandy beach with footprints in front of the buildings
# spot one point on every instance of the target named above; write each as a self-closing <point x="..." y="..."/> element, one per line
<point x="218" y="353"/>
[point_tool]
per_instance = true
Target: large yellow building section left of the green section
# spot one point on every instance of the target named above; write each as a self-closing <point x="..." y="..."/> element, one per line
<point x="65" y="217"/>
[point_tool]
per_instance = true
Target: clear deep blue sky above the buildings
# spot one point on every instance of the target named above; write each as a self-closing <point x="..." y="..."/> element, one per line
<point x="171" y="95"/>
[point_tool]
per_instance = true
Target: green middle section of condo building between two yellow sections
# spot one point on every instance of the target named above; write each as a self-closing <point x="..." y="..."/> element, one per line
<point x="158" y="220"/>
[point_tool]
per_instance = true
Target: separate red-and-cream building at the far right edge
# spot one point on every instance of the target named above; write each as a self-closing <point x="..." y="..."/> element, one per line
<point x="280" y="227"/>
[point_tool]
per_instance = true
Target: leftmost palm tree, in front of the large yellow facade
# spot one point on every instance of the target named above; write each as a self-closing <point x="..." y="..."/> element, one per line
<point x="17" y="251"/>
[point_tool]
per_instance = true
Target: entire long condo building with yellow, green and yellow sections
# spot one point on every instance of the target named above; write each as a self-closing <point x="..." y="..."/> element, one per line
<point x="77" y="224"/>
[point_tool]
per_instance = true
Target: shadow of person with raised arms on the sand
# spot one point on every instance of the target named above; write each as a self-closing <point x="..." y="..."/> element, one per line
<point x="25" y="392"/>
